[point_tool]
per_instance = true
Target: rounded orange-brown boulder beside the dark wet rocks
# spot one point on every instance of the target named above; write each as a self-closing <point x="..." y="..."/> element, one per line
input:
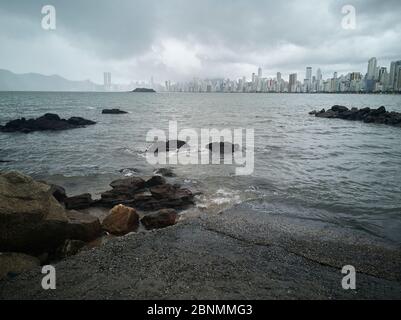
<point x="121" y="221"/>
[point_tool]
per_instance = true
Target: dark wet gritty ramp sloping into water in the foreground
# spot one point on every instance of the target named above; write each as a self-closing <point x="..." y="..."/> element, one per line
<point x="230" y="255"/>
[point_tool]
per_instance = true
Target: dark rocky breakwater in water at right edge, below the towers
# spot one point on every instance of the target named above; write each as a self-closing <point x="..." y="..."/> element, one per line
<point x="367" y="115"/>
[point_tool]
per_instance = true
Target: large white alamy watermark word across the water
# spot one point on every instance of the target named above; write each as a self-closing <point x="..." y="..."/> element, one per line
<point x="226" y="146"/>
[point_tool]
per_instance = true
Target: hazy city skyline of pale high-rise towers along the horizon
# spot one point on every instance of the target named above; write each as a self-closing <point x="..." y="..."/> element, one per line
<point x="376" y="79"/>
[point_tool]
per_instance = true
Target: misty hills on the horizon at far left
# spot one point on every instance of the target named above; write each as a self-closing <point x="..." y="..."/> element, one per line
<point x="10" y="81"/>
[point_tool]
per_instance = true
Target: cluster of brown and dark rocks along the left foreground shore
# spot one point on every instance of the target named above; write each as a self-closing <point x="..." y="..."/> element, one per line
<point x="39" y="221"/>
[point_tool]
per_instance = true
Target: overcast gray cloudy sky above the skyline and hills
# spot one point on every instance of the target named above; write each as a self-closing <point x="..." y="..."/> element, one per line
<point x="182" y="39"/>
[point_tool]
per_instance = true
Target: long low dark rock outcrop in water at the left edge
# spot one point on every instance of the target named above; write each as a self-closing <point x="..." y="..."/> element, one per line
<point x="48" y="122"/>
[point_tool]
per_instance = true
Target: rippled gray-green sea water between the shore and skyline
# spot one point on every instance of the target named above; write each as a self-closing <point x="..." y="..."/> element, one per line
<point x="333" y="171"/>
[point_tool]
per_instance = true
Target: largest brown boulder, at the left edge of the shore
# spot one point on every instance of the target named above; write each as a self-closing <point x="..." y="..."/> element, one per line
<point x="33" y="221"/>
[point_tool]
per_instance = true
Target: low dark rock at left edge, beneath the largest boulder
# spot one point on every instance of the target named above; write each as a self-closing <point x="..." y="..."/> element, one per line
<point x="13" y="264"/>
